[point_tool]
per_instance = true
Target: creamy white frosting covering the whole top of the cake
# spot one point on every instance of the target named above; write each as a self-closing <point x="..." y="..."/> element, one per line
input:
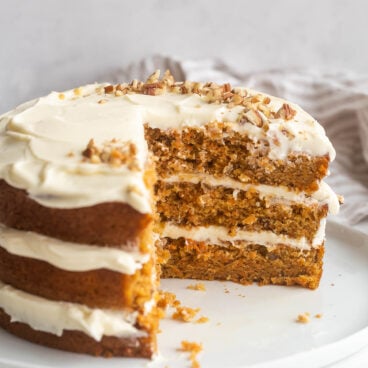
<point x="36" y="138"/>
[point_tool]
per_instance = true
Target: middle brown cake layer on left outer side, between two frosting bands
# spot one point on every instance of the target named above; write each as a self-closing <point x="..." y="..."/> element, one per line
<point x="100" y="288"/>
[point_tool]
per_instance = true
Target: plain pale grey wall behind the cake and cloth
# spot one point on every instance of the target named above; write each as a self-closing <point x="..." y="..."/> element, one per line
<point x="55" y="45"/>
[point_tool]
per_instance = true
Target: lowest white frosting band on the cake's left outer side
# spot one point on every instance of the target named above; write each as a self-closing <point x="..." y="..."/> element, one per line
<point x="55" y="317"/>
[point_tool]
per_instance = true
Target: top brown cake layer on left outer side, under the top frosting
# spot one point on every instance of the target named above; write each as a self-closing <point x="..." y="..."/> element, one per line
<point x="118" y="224"/>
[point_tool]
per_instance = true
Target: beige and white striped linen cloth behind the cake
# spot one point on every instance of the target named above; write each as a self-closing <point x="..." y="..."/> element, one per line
<point x="338" y="100"/>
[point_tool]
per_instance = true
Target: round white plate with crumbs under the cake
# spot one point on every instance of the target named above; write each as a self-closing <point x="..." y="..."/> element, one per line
<point x="250" y="326"/>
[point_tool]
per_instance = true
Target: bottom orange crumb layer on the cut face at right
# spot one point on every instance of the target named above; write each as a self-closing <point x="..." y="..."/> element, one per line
<point x="281" y="265"/>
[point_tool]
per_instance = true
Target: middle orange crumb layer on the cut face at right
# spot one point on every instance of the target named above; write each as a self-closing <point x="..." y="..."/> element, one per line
<point x="204" y="205"/>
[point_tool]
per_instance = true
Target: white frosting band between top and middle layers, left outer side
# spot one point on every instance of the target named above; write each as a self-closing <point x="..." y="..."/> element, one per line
<point x="69" y="256"/>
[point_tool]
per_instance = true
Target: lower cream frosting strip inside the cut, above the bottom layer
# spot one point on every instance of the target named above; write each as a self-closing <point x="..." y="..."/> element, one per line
<point x="219" y="235"/>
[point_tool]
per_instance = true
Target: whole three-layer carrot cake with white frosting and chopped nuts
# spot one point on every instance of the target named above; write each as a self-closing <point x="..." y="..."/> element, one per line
<point x="105" y="188"/>
